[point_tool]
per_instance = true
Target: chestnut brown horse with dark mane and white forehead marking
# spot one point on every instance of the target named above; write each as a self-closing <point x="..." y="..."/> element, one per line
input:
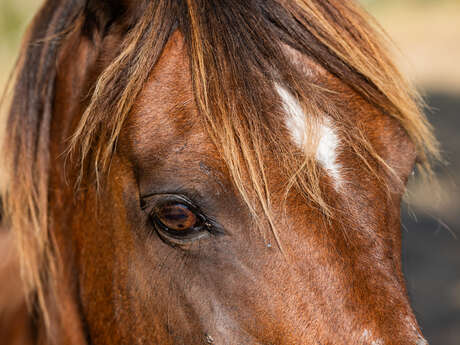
<point x="209" y="172"/>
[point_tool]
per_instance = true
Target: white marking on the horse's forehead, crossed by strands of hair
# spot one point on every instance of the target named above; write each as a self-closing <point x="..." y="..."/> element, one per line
<point x="296" y="123"/>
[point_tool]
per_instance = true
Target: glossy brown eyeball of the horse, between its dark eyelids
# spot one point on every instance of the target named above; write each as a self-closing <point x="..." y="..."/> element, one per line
<point x="177" y="217"/>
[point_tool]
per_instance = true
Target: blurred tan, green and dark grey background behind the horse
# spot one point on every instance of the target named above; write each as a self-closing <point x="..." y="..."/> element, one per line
<point x="428" y="35"/>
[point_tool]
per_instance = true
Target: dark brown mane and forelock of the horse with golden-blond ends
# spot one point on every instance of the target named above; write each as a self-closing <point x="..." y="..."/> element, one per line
<point x="219" y="34"/>
